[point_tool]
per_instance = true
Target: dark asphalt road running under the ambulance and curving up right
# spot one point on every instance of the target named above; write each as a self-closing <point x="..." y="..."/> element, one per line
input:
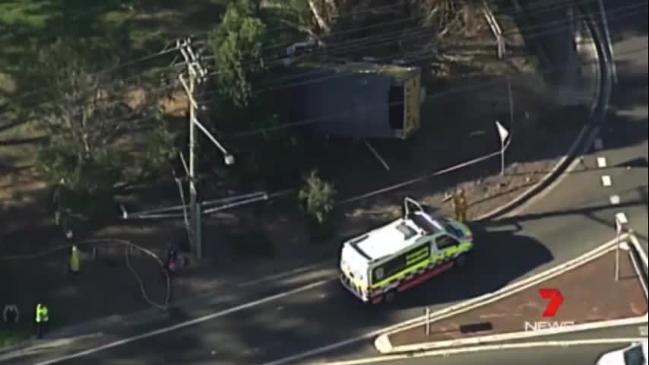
<point x="574" y="217"/>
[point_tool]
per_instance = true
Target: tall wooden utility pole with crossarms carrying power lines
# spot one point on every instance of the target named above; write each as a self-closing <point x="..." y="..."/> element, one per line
<point x="196" y="74"/>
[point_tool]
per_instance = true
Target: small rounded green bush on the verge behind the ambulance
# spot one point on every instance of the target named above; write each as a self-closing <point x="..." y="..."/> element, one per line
<point x="316" y="198"/>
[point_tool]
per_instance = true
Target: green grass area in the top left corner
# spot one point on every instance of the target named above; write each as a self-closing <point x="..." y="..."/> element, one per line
<point x="132" y="28"/>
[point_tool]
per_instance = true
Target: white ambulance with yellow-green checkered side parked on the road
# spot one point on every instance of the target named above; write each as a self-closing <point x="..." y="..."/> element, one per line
<point x="377" y="265"/>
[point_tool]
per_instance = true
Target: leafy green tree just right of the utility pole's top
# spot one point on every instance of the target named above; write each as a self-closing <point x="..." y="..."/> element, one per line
<point x="237" y="47"/>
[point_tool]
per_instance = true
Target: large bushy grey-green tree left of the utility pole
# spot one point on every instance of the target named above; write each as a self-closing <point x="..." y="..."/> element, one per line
<point x="98" y="137"/>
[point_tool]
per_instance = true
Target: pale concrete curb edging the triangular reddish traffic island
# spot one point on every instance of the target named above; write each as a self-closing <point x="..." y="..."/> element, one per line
<point x="383" y="345"/>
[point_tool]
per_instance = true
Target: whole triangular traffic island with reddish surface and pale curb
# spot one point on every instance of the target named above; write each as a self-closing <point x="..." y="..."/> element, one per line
<point x="604" y="289"/>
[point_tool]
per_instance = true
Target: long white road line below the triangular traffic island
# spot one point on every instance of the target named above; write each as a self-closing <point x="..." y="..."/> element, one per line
<point x="472" y="349"/>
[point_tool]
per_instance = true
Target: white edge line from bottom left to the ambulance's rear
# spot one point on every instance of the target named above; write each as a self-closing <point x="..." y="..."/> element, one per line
<point x="185" y="324"/>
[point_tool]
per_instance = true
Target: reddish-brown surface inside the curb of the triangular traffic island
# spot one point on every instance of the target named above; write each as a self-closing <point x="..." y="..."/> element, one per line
<point x="581" y="287"/>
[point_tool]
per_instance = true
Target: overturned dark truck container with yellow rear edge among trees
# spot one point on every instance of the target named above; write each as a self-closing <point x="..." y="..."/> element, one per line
<point x="358" y="99"/>
